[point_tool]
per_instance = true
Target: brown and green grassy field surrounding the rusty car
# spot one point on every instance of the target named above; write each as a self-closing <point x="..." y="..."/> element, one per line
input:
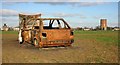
<point x="89" y="47"/>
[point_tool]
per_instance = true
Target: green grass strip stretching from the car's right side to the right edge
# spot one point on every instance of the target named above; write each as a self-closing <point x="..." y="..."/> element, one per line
<point x="107" y="37"/>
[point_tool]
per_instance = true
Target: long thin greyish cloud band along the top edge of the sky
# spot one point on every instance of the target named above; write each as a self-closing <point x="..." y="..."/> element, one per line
<point x="58" y="2"/>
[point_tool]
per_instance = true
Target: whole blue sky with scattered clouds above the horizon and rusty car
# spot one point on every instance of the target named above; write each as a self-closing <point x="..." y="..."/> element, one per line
<point x="75" y="12"/>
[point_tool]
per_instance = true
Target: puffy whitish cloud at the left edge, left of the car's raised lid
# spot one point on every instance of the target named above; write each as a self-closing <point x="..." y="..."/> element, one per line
<point x="8" y="12"/>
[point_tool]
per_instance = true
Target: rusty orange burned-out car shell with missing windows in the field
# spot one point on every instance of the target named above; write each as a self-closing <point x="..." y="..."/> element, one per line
<point x="44" y="32"/>
